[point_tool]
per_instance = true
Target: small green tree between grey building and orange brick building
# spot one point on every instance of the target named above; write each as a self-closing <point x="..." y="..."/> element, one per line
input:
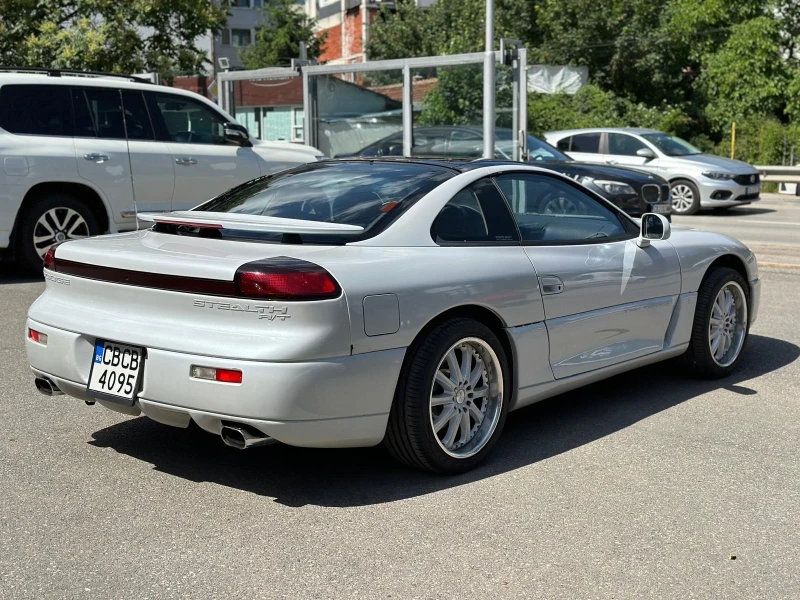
<point x="284" y="26"/>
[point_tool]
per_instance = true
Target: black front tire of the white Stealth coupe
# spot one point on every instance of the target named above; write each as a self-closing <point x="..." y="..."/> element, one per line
<point x="700" y="355"/>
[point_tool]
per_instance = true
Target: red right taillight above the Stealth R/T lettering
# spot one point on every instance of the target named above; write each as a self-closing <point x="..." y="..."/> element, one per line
<point x="285" y="278"/>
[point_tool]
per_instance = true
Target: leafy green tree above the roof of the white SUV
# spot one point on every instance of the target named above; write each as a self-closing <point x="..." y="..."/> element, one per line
<point x="108" y="35"/>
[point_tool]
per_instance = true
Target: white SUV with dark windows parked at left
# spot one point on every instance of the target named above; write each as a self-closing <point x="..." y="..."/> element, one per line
<point x="78" y="150"/>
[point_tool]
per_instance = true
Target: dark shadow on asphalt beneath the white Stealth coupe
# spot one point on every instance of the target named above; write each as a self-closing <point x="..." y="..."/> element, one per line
<point x="363" y="476"/>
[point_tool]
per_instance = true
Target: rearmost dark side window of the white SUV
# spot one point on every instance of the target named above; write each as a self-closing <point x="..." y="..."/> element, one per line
<point x="35" y="109"/>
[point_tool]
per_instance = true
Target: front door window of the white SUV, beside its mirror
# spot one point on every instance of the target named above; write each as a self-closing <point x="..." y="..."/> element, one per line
<point x="189" y="121"/>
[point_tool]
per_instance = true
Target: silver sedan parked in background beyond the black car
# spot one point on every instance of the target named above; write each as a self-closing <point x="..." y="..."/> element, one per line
<point x="698" y="180"/>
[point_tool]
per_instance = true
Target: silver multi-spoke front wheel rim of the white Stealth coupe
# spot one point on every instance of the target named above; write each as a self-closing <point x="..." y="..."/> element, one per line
<point x="727" y="327"/>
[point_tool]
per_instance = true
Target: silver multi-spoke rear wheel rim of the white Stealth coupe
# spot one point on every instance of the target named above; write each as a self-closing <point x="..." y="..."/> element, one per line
<point x="466" y="398"/>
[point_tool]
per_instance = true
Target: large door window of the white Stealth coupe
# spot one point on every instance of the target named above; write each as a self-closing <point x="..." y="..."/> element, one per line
<point x="551" y="211"/>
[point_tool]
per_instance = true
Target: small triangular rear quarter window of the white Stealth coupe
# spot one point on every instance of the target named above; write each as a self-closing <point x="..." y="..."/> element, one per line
<point x="476" y="214"/>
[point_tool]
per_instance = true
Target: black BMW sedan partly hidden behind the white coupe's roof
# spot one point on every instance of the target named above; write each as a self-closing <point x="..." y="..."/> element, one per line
<point x="636" y="192"/>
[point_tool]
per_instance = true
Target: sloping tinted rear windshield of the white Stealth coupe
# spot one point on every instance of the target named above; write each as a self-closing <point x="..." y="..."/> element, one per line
<point x="351" y="193"/>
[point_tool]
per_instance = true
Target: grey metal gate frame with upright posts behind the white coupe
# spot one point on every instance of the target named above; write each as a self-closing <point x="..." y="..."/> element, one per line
<point x="515" y="56"/>
